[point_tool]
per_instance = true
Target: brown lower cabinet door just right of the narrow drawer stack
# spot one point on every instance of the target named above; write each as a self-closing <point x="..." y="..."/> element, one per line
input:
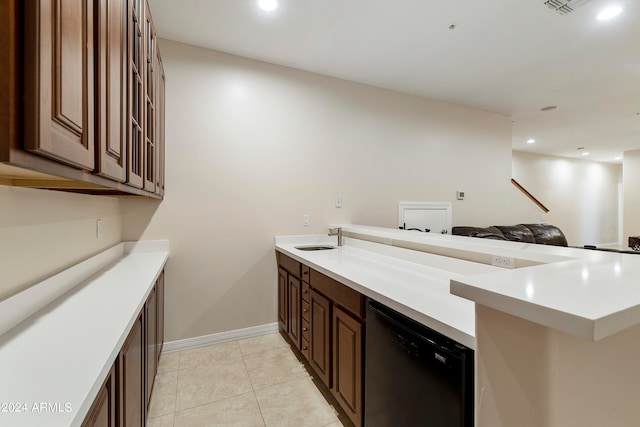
<point x="320" y="336"/>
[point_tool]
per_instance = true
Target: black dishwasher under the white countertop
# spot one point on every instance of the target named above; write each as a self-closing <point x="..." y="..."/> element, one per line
<point x="415" y="376"/>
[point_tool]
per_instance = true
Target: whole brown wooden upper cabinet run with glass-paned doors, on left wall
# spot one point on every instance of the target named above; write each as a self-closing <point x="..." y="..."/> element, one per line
<point x="81" y="97"/>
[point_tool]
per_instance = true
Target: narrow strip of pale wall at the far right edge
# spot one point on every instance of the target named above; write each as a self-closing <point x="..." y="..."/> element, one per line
<point x="631" y="191"/>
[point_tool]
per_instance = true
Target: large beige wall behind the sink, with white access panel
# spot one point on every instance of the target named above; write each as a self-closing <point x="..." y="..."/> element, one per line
<point x="251" y="147"/>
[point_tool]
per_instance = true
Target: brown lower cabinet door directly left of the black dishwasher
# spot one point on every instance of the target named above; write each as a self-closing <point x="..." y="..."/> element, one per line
<point x="347" y="364"/>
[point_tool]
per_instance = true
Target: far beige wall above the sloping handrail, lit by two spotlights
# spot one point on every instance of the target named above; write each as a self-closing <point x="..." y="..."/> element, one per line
<point x="581" y="195"/>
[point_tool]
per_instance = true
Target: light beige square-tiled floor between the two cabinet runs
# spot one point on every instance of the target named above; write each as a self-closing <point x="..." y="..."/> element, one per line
<point x="250" y="382"/>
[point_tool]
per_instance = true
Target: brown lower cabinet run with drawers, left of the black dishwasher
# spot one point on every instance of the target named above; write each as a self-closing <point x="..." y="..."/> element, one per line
<point x="324" y="320"/>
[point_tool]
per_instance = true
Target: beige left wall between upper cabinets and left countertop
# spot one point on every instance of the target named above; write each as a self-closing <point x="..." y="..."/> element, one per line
<point x="43" y="232"/>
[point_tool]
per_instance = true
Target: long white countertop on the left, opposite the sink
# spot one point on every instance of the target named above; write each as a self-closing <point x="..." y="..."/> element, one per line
<point x="61" y="354"/>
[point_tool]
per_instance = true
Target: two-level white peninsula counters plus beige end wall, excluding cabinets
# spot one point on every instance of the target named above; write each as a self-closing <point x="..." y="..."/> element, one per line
<point x="556" y="338"/>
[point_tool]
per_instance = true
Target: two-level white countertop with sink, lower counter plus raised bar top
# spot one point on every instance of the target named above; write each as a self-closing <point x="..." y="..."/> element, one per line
<point x="585" y="293"/>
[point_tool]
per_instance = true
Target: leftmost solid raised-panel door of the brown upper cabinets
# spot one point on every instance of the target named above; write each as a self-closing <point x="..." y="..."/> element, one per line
<point x="59" y="81"/>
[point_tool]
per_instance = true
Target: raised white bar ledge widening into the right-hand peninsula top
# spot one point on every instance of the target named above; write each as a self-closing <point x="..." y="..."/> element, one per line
<point x="584" y="293"/>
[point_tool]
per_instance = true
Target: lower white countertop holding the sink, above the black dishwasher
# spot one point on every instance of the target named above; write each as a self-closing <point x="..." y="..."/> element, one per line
<point x="413" y="283"/>
